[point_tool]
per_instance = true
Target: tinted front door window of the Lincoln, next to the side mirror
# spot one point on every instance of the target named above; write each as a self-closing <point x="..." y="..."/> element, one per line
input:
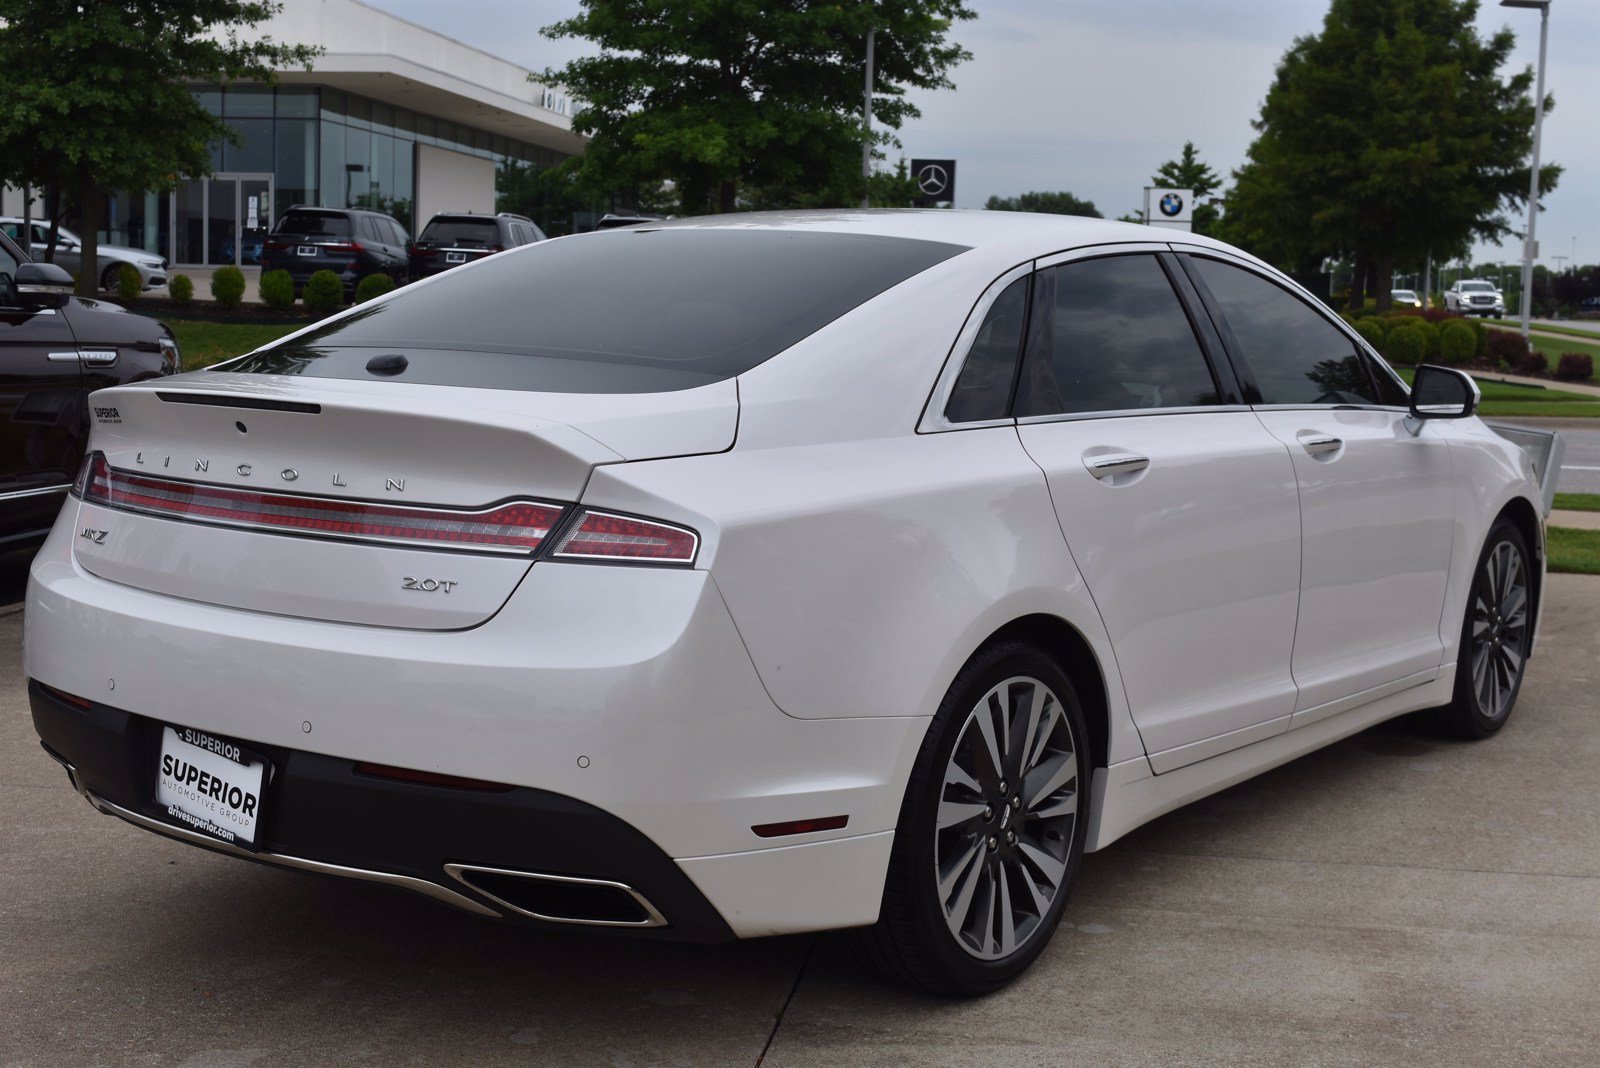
<point x="1297" y="356"/>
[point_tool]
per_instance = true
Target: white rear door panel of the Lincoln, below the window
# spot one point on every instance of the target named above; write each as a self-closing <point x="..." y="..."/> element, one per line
<point x="1190" y="543"/>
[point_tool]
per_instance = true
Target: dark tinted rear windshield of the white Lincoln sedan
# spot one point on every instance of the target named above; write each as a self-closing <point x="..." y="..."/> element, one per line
<point x="614" y="313"/>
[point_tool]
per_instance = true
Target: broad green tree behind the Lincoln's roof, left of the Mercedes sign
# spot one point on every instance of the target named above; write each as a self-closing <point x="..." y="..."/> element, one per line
<point x="724" y="97"/>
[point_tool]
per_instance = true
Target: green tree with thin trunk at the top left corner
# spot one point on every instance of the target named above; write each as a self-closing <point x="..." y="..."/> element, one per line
<point x="97" y="97"/>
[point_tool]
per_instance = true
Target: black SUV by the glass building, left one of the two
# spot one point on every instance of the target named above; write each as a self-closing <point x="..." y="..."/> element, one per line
<point x="350" y="242"/>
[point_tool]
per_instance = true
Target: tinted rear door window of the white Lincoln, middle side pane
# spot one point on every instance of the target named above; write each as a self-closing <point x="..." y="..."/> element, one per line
<point x="1110" y="335"/>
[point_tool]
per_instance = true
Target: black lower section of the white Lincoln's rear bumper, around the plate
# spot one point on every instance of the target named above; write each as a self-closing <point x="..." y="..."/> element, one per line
<point x="321" y="815"/>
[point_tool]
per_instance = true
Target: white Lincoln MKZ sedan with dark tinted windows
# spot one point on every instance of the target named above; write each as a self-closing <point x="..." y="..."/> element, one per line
<point x="761" y="575"/>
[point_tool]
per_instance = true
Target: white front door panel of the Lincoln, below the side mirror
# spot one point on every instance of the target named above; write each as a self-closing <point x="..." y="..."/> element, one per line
<point x="1378" y="517"/>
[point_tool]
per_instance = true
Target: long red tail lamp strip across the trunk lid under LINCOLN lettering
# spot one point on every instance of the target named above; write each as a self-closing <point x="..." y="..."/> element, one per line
<point x="518" y="527"/>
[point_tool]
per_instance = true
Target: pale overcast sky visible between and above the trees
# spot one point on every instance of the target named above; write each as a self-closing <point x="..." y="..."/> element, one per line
<point x="1094" y="95"/>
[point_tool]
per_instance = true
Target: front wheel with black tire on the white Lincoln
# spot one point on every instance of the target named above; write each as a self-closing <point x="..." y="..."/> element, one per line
<point x="1495" y="632"/>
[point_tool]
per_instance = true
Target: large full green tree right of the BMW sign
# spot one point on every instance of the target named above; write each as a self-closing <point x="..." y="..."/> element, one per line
<point x="1386" y="135"/>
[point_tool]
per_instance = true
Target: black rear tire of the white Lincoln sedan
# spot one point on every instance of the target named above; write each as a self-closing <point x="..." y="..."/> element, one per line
<point x="913" y="942"/>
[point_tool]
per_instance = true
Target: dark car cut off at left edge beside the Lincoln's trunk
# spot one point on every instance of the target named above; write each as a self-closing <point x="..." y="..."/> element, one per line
<point x="55" y="351"/>
